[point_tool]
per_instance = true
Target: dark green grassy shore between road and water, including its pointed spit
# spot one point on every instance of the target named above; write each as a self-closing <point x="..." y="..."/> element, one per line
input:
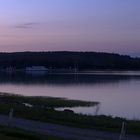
<point x="42" y="110"/>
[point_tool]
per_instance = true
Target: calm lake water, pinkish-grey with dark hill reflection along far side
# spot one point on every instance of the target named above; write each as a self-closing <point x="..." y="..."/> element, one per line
<point x="117" y="92"/>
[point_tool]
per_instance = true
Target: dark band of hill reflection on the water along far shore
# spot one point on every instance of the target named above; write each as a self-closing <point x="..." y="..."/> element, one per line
<point x="64" y="79"/>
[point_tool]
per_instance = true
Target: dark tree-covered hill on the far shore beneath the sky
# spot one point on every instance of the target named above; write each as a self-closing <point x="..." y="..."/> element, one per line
<point x="69" y="60"/>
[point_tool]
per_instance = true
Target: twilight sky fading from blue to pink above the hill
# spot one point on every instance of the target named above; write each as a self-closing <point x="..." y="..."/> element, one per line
<point x="79" y="25"/>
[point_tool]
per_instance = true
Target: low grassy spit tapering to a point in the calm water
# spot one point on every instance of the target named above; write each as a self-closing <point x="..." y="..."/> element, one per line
<point x="43" y="102"/>
